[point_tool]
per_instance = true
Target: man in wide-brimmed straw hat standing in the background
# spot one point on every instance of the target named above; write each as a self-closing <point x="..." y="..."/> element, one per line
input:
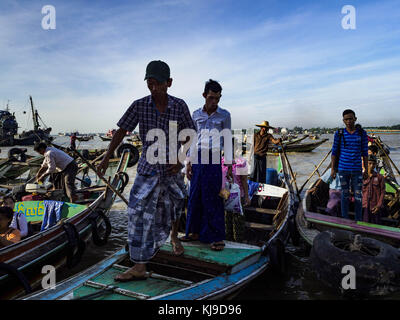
<point x="261" y="142"/>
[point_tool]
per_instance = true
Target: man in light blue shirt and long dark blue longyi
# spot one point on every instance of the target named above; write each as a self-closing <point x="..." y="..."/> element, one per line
<point x="205" y="214"/>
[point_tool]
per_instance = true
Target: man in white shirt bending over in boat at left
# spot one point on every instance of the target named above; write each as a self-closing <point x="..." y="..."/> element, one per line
<point x="57" y="160"/>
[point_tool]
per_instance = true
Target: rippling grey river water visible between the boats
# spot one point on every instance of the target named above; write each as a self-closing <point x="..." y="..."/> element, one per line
<point x="299" y="283"/>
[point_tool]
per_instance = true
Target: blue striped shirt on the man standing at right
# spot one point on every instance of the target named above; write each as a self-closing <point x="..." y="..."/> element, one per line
<point x="351" y="153"/>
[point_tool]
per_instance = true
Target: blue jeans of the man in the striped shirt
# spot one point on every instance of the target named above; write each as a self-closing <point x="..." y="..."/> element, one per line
<point x="353" y="178"/>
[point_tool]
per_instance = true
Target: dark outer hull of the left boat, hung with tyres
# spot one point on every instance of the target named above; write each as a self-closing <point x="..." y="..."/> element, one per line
<point x="50" y="247"/>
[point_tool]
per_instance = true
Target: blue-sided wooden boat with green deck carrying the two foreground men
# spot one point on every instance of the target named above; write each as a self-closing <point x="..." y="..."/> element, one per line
<point x="200" y="273"/>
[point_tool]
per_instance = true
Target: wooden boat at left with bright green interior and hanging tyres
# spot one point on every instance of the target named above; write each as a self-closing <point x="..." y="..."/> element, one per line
<point x="22" y="262"/>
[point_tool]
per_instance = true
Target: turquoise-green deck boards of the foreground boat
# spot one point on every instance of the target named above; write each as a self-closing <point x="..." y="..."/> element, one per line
<point x="198" y="257"/>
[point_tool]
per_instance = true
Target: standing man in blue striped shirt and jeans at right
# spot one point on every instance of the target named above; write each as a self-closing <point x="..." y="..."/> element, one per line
<point x="350" y="146"/>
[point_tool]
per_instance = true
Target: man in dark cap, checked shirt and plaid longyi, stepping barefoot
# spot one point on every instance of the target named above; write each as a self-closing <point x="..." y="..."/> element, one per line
<point x="157" y="195"/>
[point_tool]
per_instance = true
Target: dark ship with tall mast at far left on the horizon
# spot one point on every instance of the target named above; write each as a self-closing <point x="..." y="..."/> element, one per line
<point x="9" y="129"/>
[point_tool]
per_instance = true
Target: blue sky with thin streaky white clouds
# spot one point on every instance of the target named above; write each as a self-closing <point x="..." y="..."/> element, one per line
<point x="288" y="62"/>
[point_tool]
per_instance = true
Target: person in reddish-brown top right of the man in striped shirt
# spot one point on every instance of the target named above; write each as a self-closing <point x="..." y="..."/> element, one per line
<point x="373" y="193"/>
